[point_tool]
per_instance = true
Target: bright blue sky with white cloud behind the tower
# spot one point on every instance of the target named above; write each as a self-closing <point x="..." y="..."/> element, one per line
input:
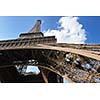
<point x="12" y="26"/>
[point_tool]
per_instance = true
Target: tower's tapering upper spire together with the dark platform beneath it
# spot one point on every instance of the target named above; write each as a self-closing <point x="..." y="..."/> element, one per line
<point x="34" y="32"/>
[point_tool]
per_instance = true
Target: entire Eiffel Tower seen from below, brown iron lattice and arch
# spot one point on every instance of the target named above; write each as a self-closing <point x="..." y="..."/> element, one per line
<point x="56" y="61"/>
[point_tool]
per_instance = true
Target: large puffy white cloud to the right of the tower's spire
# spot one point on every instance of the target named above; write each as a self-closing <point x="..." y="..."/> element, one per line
<point x="69" y="31"/>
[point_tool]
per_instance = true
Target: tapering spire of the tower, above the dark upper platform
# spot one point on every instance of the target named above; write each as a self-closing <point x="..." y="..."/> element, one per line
<point x="36" y="28"/>
